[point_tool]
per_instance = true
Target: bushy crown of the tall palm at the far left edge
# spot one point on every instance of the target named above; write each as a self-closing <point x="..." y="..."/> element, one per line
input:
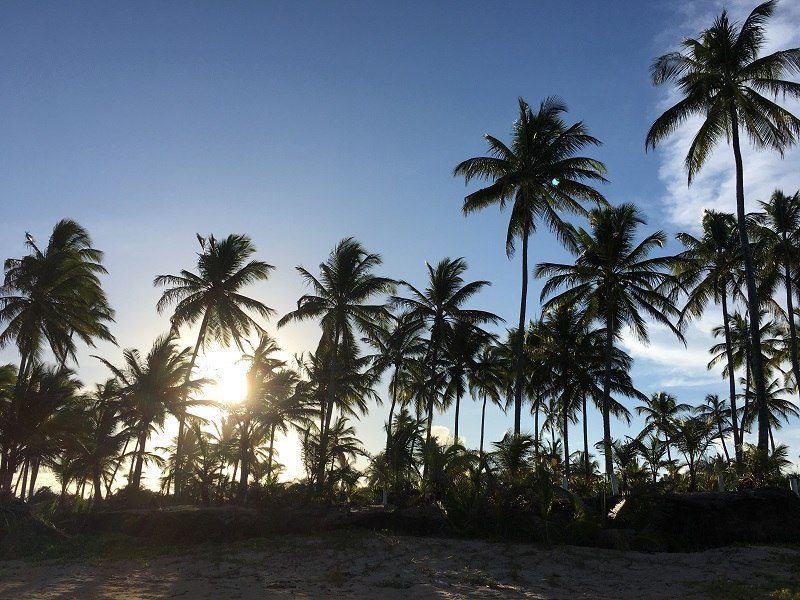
<point x="54" y="295"/>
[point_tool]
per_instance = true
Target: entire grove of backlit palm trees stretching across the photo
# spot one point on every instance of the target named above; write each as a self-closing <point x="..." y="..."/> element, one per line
<point x="432" y="345"/>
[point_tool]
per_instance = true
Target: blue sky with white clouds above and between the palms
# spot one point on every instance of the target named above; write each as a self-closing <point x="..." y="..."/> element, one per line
<point x="302" y="123"/>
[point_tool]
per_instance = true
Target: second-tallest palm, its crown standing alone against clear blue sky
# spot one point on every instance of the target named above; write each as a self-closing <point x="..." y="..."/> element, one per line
<point x="541" y="176"/>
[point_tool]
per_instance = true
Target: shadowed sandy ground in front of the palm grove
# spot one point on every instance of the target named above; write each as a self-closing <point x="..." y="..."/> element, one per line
<point x="374" y="565"/>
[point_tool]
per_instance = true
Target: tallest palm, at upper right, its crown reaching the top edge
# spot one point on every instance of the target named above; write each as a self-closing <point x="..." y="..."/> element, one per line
<point x="723" y="80"/>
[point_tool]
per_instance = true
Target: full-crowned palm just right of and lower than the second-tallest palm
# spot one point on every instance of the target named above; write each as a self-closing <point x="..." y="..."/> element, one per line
<point x="618" y="283"/>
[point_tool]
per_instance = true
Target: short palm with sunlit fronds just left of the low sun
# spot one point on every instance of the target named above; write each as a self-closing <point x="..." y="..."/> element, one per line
<point x="151" y="389"/>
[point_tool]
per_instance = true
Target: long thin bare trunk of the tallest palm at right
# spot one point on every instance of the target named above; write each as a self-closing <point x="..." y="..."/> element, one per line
<point x="753" y="305"/>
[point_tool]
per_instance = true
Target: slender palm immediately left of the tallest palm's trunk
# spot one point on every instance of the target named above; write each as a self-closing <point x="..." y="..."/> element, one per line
<point x="706" y="268"/>
